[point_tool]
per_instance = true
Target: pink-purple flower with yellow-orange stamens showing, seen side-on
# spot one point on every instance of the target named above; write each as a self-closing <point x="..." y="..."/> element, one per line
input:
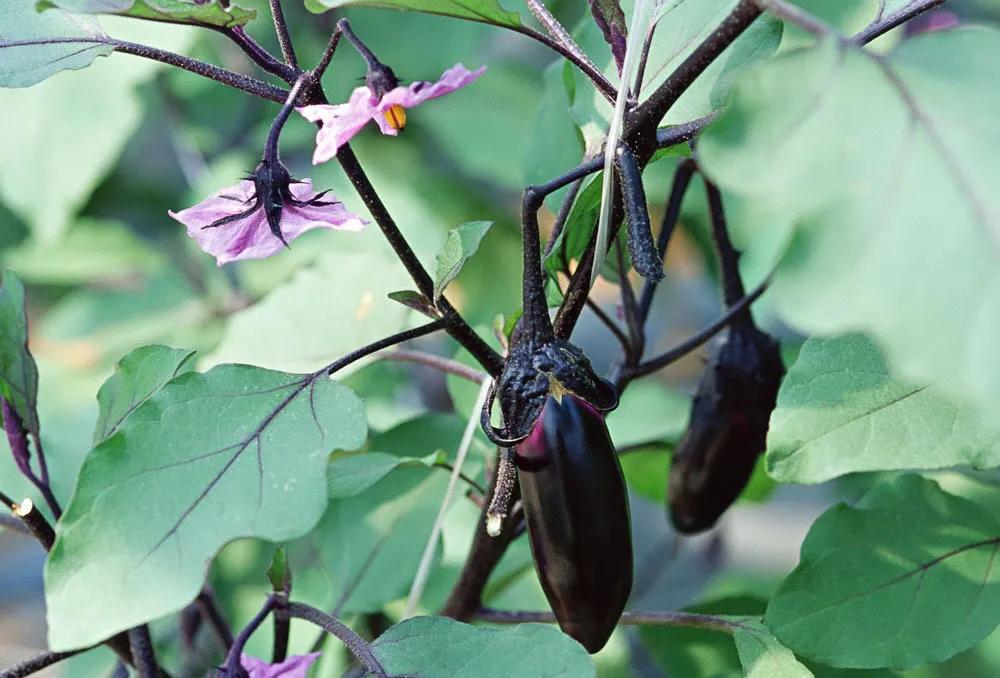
<point x="343" y="121"/>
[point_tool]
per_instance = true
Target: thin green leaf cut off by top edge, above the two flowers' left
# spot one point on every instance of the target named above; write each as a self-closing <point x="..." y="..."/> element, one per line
<point x="211" y="13"/>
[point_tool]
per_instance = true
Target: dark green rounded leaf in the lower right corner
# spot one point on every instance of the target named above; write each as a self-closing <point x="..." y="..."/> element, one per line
<point x="904" y="578"/>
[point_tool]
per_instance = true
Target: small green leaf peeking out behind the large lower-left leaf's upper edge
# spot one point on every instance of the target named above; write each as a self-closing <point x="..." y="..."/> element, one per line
<point x="137" y="376"/>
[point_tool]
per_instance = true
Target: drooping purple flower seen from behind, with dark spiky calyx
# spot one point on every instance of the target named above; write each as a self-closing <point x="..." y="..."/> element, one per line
<point x="262" y="214"/>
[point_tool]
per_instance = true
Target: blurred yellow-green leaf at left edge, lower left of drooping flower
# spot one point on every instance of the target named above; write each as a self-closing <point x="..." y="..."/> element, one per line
<point x="92" y="251"/>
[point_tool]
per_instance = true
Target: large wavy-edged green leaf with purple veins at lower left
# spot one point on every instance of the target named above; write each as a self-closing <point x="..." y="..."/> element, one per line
<point x="235" y="452"/>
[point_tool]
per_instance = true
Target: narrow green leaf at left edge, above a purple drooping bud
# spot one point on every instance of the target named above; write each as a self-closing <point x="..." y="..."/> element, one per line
<point x="18" y="373"/>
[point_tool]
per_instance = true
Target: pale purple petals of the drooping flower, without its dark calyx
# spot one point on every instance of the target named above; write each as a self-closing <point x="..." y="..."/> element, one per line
<point x="250" y="237"/>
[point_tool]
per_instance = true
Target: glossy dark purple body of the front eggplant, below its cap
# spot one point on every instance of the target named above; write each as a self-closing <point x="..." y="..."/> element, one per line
<point x="576" y="507"/>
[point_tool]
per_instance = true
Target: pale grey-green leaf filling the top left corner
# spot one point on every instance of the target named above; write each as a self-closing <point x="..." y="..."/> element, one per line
<point x="34" y="46"/>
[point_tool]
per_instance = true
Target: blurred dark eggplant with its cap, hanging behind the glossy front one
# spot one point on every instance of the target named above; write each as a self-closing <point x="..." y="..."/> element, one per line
<point x="728" y="429"/>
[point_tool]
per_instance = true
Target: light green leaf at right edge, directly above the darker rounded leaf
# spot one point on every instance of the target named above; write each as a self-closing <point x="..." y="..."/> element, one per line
<point x="840" y="410"/>
